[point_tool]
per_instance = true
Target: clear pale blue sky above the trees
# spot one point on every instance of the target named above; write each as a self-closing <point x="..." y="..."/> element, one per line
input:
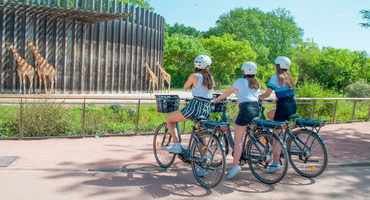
<point x="328" y="22"/>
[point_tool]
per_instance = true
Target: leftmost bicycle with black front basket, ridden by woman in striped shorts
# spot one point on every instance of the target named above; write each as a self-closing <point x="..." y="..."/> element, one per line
<point x="204" y="151"/>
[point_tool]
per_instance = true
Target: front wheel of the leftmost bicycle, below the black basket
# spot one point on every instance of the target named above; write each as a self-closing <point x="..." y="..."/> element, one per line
<point x="162" y="139"/>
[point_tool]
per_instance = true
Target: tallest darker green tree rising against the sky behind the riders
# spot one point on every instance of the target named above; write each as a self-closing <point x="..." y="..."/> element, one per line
<point x="270" y="34"/>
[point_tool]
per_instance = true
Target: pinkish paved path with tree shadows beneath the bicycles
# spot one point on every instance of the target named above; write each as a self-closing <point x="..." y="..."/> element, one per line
<point x="73" y="169"/>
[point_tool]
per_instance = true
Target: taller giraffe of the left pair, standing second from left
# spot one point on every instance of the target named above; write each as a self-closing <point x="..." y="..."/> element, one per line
<point x="43" y="68"/>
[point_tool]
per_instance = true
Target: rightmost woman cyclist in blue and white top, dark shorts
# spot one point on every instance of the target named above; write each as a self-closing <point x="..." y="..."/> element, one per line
<point x="283" y="84"/>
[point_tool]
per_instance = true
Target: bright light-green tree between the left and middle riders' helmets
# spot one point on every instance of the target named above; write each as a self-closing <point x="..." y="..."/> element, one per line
<point x="228" y="55"/>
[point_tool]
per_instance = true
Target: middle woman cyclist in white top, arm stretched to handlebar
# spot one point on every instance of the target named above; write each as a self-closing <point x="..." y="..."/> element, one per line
<point x="247" y="89"/>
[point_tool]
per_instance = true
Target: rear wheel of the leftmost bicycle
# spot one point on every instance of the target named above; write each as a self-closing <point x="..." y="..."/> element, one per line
<point x="209" y="155"/>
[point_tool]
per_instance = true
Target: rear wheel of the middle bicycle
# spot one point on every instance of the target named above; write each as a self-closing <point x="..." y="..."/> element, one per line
<point x="259" y="157"/>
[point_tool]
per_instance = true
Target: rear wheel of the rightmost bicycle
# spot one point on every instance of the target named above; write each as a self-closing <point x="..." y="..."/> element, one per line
<point x="307" y="153"/>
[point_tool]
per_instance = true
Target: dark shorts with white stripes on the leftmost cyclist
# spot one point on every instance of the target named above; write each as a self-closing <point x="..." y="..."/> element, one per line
<point x="198" y="106"/>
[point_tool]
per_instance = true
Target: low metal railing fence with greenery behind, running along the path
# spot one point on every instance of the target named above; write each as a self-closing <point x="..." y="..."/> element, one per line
<point x="81" y="116"/>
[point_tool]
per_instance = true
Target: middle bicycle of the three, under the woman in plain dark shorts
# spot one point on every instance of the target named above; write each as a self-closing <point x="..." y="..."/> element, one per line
<point x="257" y="145"/>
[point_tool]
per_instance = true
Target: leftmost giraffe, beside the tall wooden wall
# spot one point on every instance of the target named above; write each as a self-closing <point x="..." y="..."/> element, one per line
<point x="23" y="69"/>
